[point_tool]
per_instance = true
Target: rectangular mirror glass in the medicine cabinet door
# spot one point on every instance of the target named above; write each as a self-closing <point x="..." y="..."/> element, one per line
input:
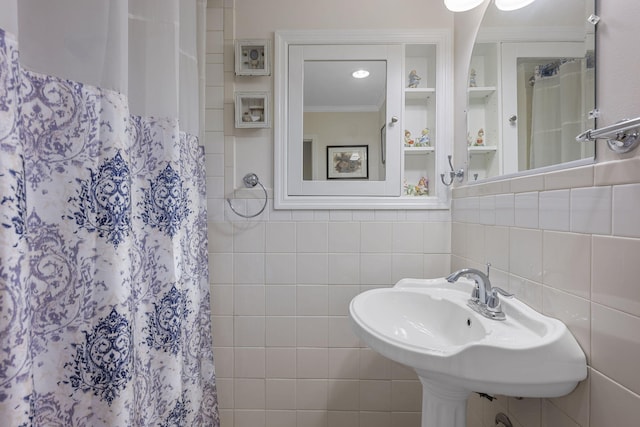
<point x="344" y="111"/>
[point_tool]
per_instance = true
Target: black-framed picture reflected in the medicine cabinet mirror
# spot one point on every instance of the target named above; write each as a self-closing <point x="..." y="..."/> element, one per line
<point x="347" y="162"/>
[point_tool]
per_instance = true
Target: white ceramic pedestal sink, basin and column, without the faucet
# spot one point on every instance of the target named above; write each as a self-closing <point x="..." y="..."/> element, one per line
<point x="427" y="325"/>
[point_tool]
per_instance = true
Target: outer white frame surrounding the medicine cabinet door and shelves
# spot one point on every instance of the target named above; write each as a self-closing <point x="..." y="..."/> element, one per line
<point x="283" y="199"/>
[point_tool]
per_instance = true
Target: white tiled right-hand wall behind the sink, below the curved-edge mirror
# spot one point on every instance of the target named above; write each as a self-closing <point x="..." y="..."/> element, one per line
<point x="571" y="253"/>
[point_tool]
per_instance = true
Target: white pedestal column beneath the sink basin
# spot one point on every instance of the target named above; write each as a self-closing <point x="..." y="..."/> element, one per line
<point x="443" y="405"/>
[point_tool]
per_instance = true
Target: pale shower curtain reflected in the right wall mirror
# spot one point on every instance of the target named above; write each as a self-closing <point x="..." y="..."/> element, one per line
<point x="555" y="123"/>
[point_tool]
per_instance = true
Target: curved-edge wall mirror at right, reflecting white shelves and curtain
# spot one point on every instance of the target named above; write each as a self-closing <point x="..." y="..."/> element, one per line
<point x="531" y="88"/>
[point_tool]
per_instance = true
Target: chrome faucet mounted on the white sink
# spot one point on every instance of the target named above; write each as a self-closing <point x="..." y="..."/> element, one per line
<point x="484" y="298"/>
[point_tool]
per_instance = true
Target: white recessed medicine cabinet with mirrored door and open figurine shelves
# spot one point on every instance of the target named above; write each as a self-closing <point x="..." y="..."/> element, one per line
<point x="362" y="119"/>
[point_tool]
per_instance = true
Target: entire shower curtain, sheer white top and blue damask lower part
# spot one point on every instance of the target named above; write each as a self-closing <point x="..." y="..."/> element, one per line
<point x="104" y="297"/>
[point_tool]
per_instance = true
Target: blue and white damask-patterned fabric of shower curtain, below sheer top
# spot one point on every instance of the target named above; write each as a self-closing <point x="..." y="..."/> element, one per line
<point x="104" y="298"/>
